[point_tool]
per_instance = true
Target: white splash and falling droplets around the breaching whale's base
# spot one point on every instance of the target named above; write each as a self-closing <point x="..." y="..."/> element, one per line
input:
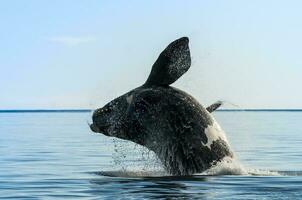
<point x="132" y="160"/>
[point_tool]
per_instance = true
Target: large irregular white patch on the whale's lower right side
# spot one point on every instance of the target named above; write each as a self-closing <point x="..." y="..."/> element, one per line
<point x="213" y="133"/>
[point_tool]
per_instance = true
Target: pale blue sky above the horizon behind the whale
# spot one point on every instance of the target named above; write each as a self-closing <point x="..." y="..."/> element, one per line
<point x="60" y="54"/>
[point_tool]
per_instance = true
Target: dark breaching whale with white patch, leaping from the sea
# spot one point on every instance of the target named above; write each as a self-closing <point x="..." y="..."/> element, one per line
<point x="182" y="133"/>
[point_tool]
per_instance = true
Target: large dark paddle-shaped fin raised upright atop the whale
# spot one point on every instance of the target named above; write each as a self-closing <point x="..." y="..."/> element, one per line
<point x="171" y="64"/>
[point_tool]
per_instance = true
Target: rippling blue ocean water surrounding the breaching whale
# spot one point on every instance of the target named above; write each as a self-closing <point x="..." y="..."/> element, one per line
<point x="54" y="155"/>
